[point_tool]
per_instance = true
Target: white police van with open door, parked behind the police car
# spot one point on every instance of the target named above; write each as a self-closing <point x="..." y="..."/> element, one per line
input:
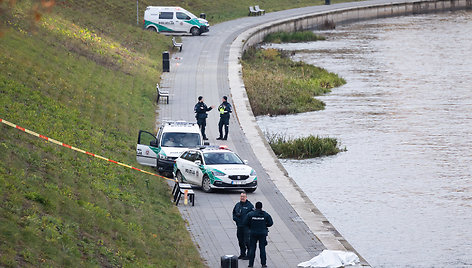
<point x="173" y="138"/>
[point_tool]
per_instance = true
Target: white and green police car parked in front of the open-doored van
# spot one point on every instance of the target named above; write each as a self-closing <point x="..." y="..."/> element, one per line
<point x="215" y="168"/>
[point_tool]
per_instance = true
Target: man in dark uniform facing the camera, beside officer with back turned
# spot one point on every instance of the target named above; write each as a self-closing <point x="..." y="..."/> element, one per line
<point x="240" y="210"/>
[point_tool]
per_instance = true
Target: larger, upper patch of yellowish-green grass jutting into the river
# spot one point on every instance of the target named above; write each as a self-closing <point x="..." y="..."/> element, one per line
<point x="277" y="85"/>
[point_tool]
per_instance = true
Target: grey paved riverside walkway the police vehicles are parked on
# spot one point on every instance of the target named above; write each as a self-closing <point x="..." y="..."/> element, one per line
<point x="202" y="69"/>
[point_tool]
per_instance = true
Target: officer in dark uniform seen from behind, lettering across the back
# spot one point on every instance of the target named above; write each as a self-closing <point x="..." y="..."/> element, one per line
<point x="258" y="222"/>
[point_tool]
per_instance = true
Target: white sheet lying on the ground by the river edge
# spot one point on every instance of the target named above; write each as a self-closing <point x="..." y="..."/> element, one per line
<point x="331" y="258"/>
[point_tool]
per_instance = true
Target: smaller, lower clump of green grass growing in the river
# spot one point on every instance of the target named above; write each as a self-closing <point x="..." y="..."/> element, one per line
<point x="302" y="148"/>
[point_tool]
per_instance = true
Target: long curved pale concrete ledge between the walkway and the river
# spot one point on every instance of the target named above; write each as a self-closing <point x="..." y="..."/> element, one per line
<point x="314" y="219"/>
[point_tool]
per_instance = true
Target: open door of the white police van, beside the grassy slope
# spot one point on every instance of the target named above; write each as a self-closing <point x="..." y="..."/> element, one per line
<point x="147" y="149"/>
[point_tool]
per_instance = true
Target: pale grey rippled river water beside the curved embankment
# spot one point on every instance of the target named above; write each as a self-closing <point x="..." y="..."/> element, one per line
<point x="402" y="193"/>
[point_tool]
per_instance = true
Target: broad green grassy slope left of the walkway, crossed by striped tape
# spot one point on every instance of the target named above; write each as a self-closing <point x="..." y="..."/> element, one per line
<point x="83" y="75"/>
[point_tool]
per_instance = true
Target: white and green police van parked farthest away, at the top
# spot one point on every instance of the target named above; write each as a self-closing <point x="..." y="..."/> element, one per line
<point x="174" y="20"/>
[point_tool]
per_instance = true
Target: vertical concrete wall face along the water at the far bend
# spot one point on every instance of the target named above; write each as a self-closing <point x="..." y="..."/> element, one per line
<point x="349" y="15"/>
